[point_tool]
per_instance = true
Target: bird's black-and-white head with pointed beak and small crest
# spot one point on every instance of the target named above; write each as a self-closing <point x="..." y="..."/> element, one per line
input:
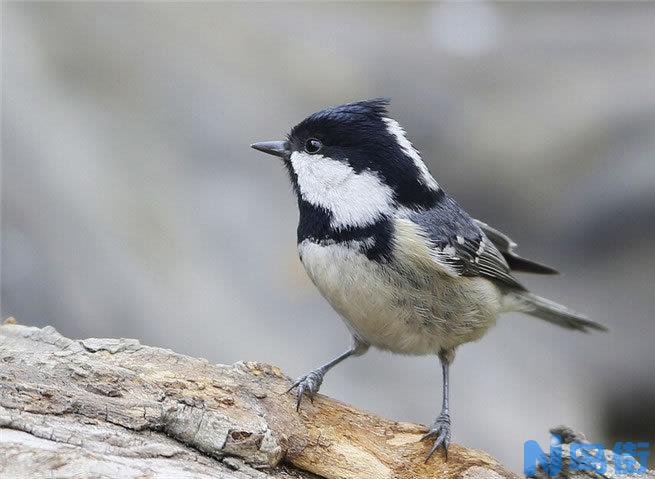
<point x="356" y="163"/>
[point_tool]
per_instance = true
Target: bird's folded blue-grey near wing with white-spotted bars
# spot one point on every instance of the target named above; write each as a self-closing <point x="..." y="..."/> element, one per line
<point x="461" y="245"/>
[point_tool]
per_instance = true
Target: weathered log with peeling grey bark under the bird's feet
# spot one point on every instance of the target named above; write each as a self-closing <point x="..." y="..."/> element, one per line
<point x="115" y="408"/>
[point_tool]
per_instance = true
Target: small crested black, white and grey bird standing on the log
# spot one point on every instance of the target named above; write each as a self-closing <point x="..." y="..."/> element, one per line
<point x="406" y="268"/>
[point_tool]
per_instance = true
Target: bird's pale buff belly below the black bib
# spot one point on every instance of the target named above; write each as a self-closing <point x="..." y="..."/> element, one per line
<point x="409" y="312"/>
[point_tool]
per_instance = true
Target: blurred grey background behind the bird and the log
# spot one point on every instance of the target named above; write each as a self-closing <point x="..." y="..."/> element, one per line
<point x="132" y="205"/>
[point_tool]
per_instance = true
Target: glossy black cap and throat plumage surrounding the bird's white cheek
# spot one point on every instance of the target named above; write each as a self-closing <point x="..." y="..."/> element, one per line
<point x="359" y="134"/>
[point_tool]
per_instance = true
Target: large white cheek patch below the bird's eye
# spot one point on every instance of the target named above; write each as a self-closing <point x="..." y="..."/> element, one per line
<point x="354" y="199"/>
